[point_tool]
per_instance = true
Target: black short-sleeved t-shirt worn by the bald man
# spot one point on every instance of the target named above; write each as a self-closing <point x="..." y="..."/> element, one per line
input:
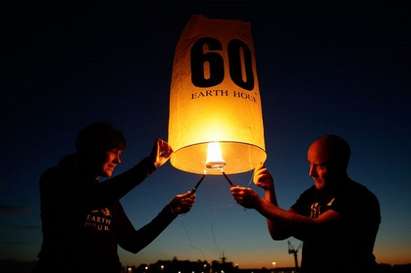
<point x="345" y="245"/>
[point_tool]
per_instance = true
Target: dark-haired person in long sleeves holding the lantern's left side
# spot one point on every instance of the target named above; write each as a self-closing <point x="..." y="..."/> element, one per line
<point x="82" y="218"/>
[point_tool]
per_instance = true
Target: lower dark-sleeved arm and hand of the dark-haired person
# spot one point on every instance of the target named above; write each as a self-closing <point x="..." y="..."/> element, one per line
<point x="135" y="240"/>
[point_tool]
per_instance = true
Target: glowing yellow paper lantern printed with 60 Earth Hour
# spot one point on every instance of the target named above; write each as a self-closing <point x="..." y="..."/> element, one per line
<point x="215" y="121"/>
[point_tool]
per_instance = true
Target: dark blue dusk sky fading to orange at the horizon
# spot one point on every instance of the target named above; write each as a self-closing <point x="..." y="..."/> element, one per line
<point x="323" y="68"/>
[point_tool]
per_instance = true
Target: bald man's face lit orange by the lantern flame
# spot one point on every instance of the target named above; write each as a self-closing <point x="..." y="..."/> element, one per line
<point x="320" y="168"/>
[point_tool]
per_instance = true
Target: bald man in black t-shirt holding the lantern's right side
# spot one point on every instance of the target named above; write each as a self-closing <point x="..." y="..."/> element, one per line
<point x="336" y="218"/>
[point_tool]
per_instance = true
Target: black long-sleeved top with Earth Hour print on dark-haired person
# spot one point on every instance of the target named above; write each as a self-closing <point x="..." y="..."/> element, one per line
<point x="83" y="221"/>
